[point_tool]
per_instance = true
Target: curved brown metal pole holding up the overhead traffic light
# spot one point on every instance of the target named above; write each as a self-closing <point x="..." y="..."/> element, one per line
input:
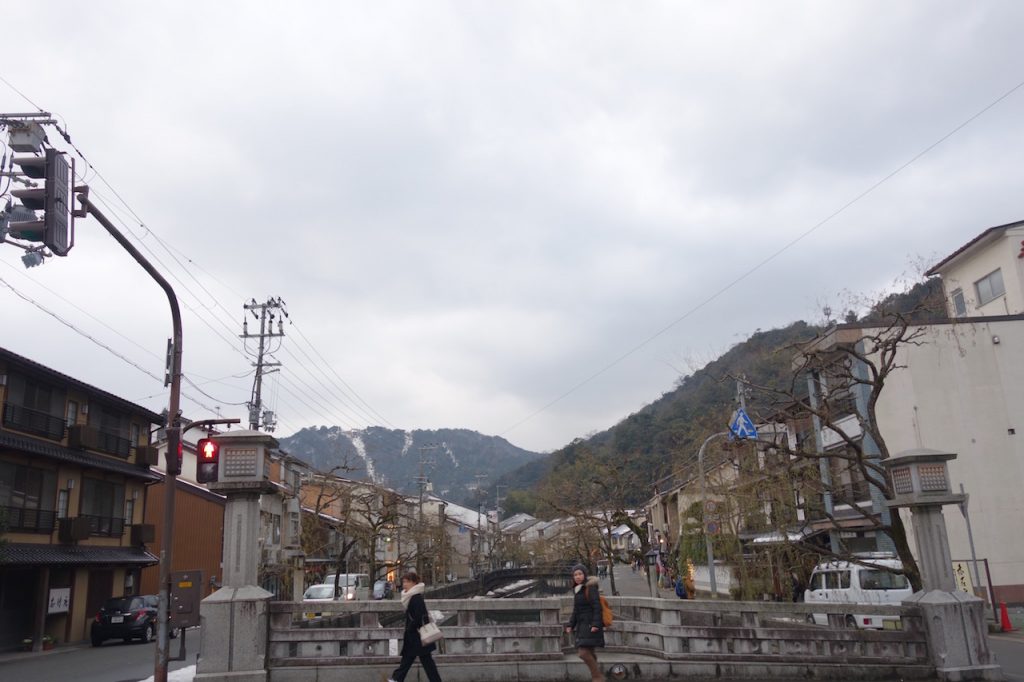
<point x="174" y="436"/>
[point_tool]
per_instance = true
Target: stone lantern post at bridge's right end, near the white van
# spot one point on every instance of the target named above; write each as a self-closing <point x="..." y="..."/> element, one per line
<point x="954" y="621"/>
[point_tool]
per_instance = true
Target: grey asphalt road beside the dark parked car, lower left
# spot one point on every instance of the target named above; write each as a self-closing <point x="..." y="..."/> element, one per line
<point x="114" y="662"/>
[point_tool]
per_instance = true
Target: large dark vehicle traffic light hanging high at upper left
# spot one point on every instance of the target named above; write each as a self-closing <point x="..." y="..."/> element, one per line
<point x="57" y="228"/>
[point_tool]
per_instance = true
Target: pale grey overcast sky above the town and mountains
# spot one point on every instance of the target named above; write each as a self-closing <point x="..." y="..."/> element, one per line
<point x="472" y="209"/>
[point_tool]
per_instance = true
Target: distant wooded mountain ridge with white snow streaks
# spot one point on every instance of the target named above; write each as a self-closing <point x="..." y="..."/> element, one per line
<point x="392" y="457"/>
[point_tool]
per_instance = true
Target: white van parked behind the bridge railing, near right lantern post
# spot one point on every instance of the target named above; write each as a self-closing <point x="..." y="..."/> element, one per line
<point x="849" y="583"/>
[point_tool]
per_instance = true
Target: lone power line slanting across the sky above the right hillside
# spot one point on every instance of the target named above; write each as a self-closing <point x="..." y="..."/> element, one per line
<point x="764" y="262"/>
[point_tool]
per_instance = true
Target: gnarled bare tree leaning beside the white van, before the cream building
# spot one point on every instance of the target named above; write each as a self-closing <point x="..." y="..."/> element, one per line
<point x="833" y="395"/>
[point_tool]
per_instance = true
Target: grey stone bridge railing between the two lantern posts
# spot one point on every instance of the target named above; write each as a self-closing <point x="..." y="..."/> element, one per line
<point x="504" y="630"/>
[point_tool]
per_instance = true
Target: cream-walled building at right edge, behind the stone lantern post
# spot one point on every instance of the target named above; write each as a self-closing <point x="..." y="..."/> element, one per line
<point x="961" y="390"/>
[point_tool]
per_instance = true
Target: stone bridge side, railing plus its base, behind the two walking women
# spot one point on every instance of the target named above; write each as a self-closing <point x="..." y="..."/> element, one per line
<point x="652" y="640"/>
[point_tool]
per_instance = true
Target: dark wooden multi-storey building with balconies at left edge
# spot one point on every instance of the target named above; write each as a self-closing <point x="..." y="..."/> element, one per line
<point x="74" y="472"/>
